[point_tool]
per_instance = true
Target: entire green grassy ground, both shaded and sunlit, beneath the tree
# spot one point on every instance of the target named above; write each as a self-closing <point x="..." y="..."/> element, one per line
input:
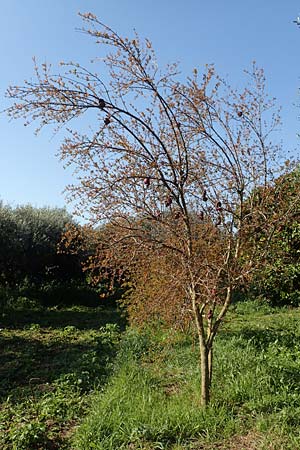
<point x="67" y="381"/>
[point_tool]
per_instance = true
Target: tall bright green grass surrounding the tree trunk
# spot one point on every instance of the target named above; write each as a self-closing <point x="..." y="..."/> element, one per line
<point x="153" y="401"/>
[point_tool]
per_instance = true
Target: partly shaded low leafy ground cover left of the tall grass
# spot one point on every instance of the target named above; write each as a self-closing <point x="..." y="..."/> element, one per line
<point x="50" y="363"/>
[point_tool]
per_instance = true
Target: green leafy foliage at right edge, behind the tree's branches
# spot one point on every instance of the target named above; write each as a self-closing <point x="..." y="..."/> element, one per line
<point x="279" y="279"/>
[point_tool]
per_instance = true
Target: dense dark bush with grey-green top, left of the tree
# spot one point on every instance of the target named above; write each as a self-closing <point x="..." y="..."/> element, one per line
<point x="33" y="272"/>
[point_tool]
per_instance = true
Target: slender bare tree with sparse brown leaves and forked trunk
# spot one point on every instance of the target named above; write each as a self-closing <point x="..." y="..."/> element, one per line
<point x="172" y="166"/>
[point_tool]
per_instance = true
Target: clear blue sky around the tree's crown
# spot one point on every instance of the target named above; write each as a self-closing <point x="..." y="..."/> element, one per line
<point x="230" y="34"/>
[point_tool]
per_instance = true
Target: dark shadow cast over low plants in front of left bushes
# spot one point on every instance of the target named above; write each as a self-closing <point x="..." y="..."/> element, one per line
<point x="58" y="344"/>
